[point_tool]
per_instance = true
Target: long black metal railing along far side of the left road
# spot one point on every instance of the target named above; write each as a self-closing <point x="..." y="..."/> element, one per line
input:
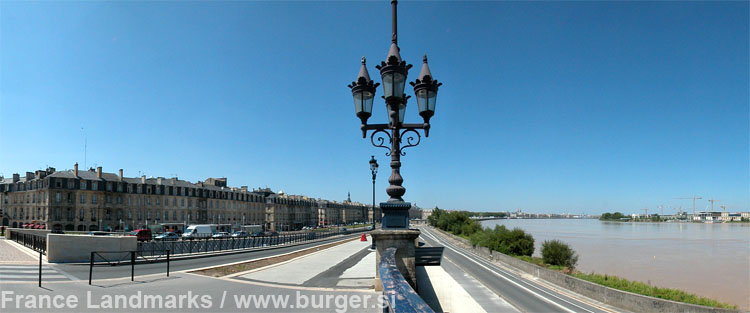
<point x="206" y="245"/>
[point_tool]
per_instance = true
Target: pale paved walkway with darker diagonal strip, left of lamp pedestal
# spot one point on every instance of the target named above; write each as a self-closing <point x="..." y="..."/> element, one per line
<point x="350" y="265"/>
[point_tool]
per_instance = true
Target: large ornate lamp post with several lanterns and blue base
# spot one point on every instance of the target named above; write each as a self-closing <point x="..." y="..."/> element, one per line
<point x="393" y="72"/>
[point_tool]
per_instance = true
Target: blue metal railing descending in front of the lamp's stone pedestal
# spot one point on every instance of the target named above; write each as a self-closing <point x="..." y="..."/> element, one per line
<point x="399" y="295"/>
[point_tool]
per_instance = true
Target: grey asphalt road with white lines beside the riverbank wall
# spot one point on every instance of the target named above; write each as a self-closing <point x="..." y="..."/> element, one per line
<point x="524" y="294"/>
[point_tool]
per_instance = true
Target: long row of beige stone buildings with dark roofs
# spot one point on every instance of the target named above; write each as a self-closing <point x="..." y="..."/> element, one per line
<point x="91" y="200"/>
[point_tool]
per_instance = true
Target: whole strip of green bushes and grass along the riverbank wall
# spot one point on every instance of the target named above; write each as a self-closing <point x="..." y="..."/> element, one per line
<point x="556" y="255"/>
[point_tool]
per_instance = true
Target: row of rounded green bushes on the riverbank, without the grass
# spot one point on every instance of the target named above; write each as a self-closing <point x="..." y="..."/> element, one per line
<point x="514" y="242"/>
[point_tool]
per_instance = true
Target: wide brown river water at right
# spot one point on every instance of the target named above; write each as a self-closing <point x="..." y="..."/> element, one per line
<point x="711" y="260"/>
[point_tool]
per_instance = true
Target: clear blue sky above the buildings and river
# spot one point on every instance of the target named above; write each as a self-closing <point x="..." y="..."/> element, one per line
<point x="546" y="106"/>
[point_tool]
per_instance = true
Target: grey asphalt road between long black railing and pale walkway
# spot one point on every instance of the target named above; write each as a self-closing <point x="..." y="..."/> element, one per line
<point x="81" y="271"/>
